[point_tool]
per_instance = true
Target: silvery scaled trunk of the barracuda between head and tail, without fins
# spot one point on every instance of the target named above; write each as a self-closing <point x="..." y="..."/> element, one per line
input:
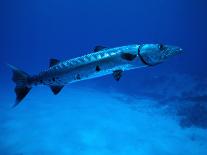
<point x="85" y="67"/>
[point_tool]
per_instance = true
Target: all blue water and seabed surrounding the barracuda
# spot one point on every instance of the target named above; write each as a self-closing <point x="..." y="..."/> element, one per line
<point x="158" y="110"/>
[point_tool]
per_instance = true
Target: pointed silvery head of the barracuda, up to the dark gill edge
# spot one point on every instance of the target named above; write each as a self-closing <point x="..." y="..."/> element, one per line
<point x="152" y="54"/>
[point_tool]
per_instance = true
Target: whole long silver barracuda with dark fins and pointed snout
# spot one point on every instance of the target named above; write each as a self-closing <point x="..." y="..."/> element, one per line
<point x="102" y="61"/>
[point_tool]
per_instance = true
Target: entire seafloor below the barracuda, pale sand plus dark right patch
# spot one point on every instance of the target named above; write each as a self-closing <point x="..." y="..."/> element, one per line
<point x="86" y="121"/>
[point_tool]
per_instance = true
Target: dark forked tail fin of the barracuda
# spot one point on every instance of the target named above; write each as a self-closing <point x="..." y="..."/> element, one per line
<point x="21" y="79"/>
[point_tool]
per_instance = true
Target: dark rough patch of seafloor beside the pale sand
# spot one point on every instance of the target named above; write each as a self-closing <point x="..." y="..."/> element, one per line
<point x="189" y="104"/>
